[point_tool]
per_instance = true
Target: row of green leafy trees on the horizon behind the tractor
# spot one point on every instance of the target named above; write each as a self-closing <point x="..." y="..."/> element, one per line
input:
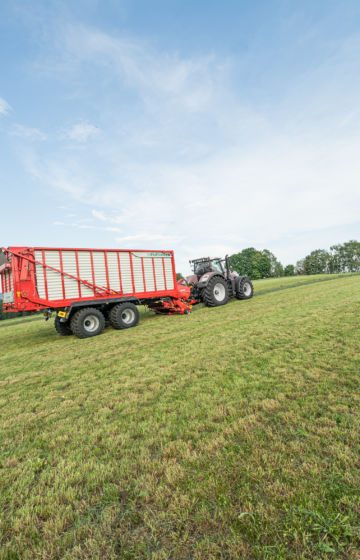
<point x="257" y="263"/>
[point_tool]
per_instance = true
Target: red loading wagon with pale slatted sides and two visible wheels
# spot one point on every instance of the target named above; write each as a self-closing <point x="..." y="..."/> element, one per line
<point x="86" y="288"/>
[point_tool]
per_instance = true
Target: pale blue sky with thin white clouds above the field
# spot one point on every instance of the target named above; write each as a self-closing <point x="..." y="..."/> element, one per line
<point x="204" y="127"/>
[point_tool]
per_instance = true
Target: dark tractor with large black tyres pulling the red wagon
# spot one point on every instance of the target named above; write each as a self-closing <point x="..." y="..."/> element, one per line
<point x="213" y="282"/>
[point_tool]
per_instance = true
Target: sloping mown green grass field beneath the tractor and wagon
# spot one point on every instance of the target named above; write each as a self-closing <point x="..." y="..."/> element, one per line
<point x="230" y="433"/>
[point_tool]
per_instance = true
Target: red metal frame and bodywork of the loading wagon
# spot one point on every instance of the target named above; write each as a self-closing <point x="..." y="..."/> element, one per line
<point x="22" y="264"/>
